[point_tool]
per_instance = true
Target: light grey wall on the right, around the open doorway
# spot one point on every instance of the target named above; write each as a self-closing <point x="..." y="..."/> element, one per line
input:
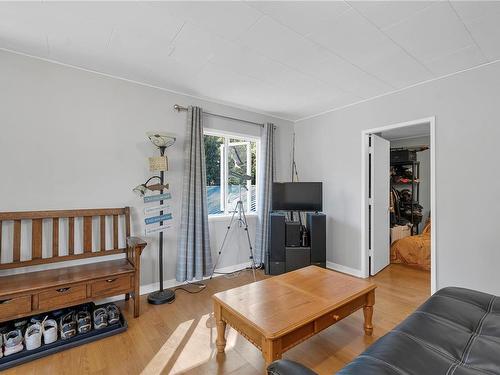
<point x="467" y="110"/>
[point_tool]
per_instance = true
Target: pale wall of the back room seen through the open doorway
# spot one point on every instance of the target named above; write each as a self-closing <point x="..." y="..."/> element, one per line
<point x="424" y="157"/>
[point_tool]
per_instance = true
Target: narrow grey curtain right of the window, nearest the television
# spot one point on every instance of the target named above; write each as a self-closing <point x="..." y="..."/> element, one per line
<point x="266" y="179"/>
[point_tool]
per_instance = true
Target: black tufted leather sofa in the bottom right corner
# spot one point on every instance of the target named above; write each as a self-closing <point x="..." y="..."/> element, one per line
<point x="455" y="332"/>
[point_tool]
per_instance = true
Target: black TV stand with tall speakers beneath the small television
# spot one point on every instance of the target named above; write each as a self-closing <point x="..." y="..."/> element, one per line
<point x="281" y="257"/>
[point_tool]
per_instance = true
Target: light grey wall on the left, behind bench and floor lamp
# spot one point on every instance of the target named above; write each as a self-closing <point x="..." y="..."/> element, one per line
<point x="75" y="139"/>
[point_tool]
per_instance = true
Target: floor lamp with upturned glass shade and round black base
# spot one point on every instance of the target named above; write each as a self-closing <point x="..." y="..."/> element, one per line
<point x="162" y="141"/>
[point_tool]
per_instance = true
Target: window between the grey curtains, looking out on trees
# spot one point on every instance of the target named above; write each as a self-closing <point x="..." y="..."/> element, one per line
<point x="231" y="163"/>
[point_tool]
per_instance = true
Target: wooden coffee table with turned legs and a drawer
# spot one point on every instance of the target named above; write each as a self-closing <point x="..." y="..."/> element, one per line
<point x="278" y="313"/>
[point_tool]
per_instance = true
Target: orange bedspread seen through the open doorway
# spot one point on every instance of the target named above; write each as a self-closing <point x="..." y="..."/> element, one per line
<point x="414" y="251"/>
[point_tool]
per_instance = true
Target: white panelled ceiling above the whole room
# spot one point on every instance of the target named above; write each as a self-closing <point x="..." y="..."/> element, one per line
<point x="289" y="59"/>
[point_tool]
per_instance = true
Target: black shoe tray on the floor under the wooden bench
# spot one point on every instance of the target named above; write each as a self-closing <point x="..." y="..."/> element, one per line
<point x="60" y="345"/>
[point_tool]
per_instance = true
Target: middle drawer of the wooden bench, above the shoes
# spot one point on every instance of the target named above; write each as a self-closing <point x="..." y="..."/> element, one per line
<point x="62" y="296"/>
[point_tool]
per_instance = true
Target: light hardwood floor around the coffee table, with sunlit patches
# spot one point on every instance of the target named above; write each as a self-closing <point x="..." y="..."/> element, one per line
<point x="180" y="338"/>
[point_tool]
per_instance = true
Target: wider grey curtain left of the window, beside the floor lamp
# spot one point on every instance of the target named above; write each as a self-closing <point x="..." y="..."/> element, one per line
<point x="194" y="258"/>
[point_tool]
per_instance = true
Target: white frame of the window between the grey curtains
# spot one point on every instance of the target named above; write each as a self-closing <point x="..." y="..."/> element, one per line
<point x="225" y="167"/>
